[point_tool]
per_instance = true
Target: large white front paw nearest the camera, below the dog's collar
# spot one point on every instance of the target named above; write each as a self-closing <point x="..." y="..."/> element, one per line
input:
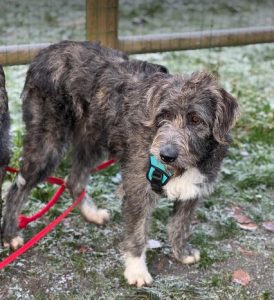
<point x="136" y="272"/>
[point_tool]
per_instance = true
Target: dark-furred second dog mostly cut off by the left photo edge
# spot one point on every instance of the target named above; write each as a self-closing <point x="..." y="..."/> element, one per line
<point x="4" y="135"/>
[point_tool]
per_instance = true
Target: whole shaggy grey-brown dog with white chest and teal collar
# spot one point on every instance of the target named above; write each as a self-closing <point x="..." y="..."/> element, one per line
<point x="169" y="134"/>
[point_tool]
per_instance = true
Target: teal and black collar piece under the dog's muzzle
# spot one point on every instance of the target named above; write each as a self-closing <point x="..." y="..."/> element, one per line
<point x="157" y="174"/>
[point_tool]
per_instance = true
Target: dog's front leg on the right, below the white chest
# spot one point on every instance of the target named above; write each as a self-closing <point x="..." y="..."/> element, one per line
<point x="179" y="231"/>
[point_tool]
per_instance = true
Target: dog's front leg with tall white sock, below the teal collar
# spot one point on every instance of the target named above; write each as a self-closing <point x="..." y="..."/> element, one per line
<point x="137" y="207"/>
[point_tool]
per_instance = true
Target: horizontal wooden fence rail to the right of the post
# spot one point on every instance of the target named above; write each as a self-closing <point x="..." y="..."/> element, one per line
<point x="196" y="40"/>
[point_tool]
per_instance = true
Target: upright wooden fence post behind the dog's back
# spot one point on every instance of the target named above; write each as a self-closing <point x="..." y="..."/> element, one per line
<point x="102" y="21"/>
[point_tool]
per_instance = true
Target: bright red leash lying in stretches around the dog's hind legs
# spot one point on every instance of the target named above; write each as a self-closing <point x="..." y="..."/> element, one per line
<point x="23" y="220"/>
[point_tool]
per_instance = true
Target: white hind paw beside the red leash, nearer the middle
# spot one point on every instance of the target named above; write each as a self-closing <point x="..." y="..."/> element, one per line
<point x="92" y="214"/>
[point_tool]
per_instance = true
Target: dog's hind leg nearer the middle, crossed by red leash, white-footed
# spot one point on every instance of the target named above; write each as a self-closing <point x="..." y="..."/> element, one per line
<point x="84" y="158"/>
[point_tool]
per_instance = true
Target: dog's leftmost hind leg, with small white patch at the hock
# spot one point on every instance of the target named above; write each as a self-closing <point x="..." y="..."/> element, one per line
<point x="40" y="158"/>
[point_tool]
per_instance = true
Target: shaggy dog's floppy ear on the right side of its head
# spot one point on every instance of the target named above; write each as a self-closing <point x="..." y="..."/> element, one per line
<point x="227" y="112"/>
